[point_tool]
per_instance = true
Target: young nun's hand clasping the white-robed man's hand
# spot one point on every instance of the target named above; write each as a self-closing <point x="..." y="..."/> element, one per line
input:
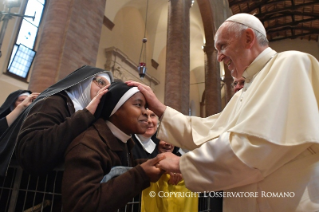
<point x="151" y="170"/>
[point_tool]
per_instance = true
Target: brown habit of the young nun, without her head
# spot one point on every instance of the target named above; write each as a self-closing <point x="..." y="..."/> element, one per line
<point x="88" y="158"/>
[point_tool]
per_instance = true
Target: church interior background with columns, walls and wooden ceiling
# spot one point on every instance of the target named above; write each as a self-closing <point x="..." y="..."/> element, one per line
<point x="173" y="39"/>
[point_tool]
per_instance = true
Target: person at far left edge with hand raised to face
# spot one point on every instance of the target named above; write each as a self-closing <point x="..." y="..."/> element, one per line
<point x="13" y="106"/>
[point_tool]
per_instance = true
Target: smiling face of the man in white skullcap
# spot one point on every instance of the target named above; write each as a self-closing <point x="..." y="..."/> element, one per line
<point x="231" y="50"/>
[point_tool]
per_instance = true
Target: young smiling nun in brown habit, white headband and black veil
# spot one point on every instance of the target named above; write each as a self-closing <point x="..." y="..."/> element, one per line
<point x="104" y="145"/>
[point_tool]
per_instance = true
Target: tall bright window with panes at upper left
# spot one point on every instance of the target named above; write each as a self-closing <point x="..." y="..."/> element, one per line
<point x="23" y="51"/>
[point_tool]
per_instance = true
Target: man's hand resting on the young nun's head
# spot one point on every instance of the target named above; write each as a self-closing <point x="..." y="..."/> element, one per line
<point x="153" y="103"/>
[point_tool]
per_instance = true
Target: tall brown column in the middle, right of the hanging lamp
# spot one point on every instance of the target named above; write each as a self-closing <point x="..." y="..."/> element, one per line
<point x="177" y="77"/>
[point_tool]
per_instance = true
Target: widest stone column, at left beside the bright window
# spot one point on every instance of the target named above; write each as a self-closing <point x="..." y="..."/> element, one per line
<point x="69" y="39"/>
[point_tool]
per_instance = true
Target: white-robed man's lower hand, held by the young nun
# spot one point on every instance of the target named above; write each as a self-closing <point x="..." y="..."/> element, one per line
<point x="170" y="163"/>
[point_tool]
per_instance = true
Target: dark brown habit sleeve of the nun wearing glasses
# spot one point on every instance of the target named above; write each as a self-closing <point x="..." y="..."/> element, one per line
<point x="47" y="131"/>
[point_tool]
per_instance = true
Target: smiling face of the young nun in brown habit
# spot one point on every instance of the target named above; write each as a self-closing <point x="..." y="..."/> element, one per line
<point x="131" y="117"/>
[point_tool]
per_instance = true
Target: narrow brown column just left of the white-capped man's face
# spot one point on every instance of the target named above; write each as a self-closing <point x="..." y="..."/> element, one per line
<point x="212" y="81"/>
